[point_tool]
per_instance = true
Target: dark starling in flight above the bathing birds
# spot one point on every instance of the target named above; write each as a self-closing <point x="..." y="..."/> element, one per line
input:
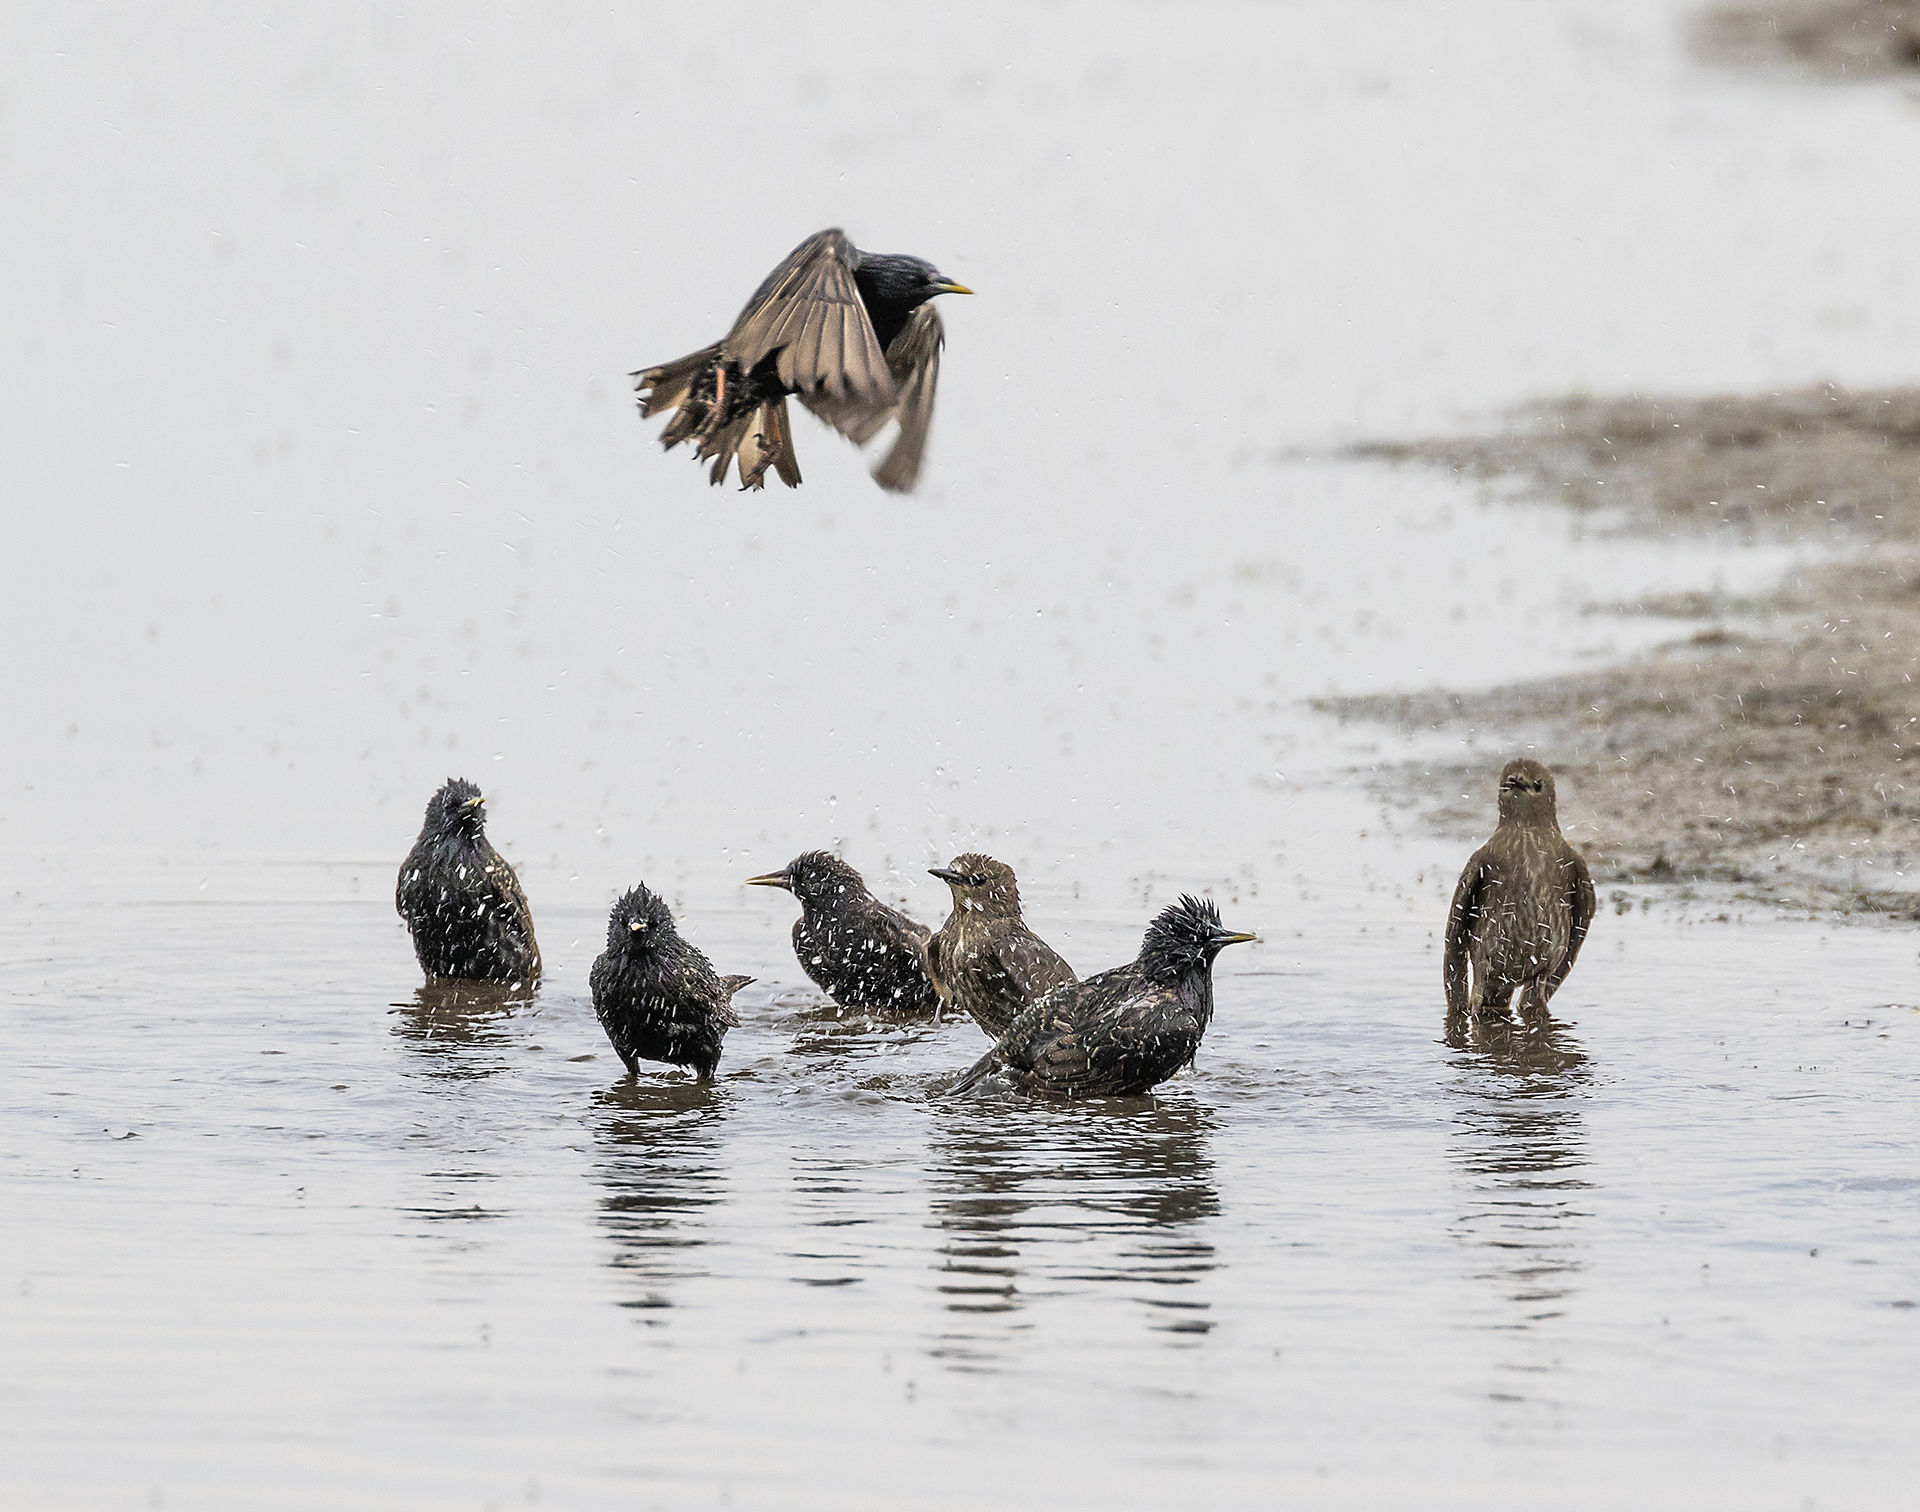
<point x="850" y="333"/>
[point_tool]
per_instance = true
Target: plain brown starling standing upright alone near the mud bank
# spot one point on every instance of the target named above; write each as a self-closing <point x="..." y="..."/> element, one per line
<point x="1524" y="905"/>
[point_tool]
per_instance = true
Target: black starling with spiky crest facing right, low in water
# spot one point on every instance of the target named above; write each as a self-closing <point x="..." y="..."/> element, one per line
<point x="1128" y="1029"/>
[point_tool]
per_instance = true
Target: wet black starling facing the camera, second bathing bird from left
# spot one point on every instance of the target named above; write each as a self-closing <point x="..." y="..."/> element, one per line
<point x="658" y="997"/>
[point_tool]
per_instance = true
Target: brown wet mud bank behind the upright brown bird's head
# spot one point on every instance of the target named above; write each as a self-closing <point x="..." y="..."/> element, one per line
<point x="1771" y="747"/>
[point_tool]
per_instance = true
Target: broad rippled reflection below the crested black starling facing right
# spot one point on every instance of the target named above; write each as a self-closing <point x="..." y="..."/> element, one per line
<point x="1103" y="1200"/>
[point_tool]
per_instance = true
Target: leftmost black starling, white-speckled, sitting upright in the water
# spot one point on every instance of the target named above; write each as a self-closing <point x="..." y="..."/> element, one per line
<point x="462" y="901"/>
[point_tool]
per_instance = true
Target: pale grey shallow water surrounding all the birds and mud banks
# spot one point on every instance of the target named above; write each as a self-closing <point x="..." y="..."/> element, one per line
<point x="318" y="335"/>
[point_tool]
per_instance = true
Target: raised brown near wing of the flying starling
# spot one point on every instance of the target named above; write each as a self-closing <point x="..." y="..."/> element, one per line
<point x="809" y="312"/>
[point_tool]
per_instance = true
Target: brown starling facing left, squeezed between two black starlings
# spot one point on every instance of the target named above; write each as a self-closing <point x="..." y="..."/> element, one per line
<point x="986" y="958"/>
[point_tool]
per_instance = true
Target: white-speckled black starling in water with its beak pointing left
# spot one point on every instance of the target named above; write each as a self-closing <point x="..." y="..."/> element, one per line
<point x="855" y="949"/>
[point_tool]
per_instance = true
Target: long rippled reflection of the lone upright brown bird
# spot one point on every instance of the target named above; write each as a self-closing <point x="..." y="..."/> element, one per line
<point x="1520" y="1150"/>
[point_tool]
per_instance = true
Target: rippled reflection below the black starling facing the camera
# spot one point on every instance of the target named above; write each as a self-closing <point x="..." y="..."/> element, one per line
<point x="658" y="1162"/>
